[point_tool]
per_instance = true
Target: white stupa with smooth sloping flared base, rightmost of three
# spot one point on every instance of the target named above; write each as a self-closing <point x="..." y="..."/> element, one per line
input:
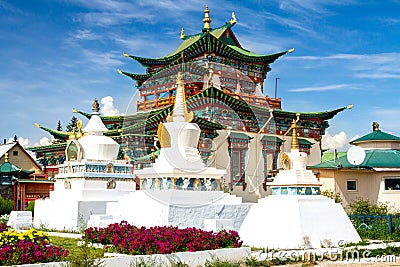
<point x="296" y="215"/>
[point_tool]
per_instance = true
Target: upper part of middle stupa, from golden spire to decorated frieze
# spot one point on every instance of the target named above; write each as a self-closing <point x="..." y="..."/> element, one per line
<point x="179" y="165"/>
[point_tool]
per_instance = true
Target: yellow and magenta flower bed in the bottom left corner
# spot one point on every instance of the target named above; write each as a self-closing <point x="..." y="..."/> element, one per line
<point x="31" y="246"/>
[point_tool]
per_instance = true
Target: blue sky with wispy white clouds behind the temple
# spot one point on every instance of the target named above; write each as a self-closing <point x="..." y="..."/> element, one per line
<point x="61" y="54"/>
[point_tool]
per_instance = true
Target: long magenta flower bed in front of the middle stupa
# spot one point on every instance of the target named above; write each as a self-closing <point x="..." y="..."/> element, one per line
<point x="128" y="239"/>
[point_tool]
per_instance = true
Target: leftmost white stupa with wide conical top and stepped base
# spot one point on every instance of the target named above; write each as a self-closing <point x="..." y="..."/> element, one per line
<point x="90" y="177"/>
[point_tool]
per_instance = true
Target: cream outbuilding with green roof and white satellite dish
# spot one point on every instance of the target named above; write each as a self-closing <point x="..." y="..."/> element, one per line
<point x="376" y="178"/>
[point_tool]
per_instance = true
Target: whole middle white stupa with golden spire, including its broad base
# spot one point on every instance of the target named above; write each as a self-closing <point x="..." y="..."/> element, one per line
<point x="179" y="189"/>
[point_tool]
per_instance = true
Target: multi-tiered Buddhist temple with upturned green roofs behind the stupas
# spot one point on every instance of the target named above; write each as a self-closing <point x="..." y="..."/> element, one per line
<point x="242" y="130"/>
